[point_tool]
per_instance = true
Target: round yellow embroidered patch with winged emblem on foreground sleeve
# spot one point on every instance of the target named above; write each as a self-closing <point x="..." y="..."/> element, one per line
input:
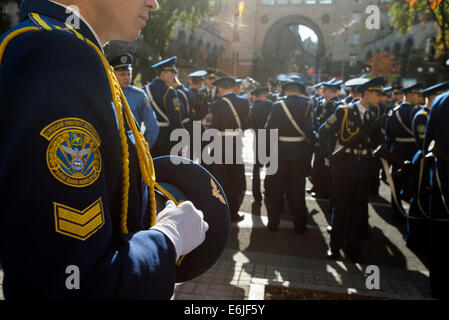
<point x="73" y="155"/>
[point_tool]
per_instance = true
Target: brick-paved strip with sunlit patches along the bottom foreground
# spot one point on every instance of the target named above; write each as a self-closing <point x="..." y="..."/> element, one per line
<point x="233" y="277"/>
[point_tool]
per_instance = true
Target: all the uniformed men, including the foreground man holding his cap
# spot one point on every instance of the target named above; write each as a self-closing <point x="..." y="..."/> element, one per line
<point x="82" y="191"/>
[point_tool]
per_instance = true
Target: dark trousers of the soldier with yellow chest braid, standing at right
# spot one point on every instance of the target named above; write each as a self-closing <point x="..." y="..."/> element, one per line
<point x="350" y="209"/>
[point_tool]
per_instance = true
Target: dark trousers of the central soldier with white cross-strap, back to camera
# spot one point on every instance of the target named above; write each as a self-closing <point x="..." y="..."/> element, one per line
<point x="291" y="174"/>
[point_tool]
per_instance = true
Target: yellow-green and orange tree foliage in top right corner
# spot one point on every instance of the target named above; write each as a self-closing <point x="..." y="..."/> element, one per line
<point x="405" y="14"/>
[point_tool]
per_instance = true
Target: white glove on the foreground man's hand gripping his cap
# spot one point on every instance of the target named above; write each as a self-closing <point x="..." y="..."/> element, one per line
<point x="184" y="225"/>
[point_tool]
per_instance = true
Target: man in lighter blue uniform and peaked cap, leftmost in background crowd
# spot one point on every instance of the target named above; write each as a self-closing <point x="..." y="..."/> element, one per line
<point x="137" y="98"/>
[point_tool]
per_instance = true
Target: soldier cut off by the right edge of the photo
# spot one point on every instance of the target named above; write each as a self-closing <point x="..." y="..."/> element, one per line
<point x="438" y="131"/>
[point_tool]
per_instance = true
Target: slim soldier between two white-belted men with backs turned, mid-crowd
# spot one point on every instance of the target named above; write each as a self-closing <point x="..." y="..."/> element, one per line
<point x="259" y="112"/>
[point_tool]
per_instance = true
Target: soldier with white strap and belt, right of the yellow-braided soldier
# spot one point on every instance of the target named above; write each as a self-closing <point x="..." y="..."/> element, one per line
<point x="400" y="139"/>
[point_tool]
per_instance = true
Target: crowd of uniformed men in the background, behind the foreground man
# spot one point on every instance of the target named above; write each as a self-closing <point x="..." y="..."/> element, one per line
<point x="343" y="136"/>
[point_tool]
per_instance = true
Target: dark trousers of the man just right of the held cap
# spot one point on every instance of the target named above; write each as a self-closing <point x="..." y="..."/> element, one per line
<point x="232" y="179"/>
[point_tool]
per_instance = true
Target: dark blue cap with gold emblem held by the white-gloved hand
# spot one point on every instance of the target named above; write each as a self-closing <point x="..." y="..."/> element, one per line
<point x="177" y="179"/>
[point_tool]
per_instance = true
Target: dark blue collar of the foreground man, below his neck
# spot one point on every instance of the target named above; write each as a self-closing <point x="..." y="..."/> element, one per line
<point x="57" y="11"/>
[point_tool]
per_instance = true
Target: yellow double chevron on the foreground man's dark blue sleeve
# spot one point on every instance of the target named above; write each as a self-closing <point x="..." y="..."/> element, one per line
<point x="79" y="224"/>
